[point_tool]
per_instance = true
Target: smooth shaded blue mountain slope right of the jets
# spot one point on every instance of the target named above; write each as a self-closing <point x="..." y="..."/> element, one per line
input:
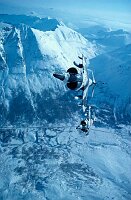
<point x="114" y="69"/>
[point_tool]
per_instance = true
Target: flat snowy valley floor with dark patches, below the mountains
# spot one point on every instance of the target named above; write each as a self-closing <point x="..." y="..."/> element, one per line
<point x="57" y="162"/>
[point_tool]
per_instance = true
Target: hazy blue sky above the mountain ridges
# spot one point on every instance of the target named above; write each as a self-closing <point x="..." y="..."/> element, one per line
<point x="75" y="12"/>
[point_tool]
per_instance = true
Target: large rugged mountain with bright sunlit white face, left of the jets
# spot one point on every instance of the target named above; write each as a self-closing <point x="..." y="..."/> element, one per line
<point x="31" y="49"/>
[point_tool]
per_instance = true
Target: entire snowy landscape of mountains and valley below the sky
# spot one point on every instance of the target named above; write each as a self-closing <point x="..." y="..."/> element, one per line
<point x="42" y="154"/>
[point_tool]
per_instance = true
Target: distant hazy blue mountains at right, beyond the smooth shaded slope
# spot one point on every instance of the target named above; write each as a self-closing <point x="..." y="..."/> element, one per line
<point x="106" y="38"/>
